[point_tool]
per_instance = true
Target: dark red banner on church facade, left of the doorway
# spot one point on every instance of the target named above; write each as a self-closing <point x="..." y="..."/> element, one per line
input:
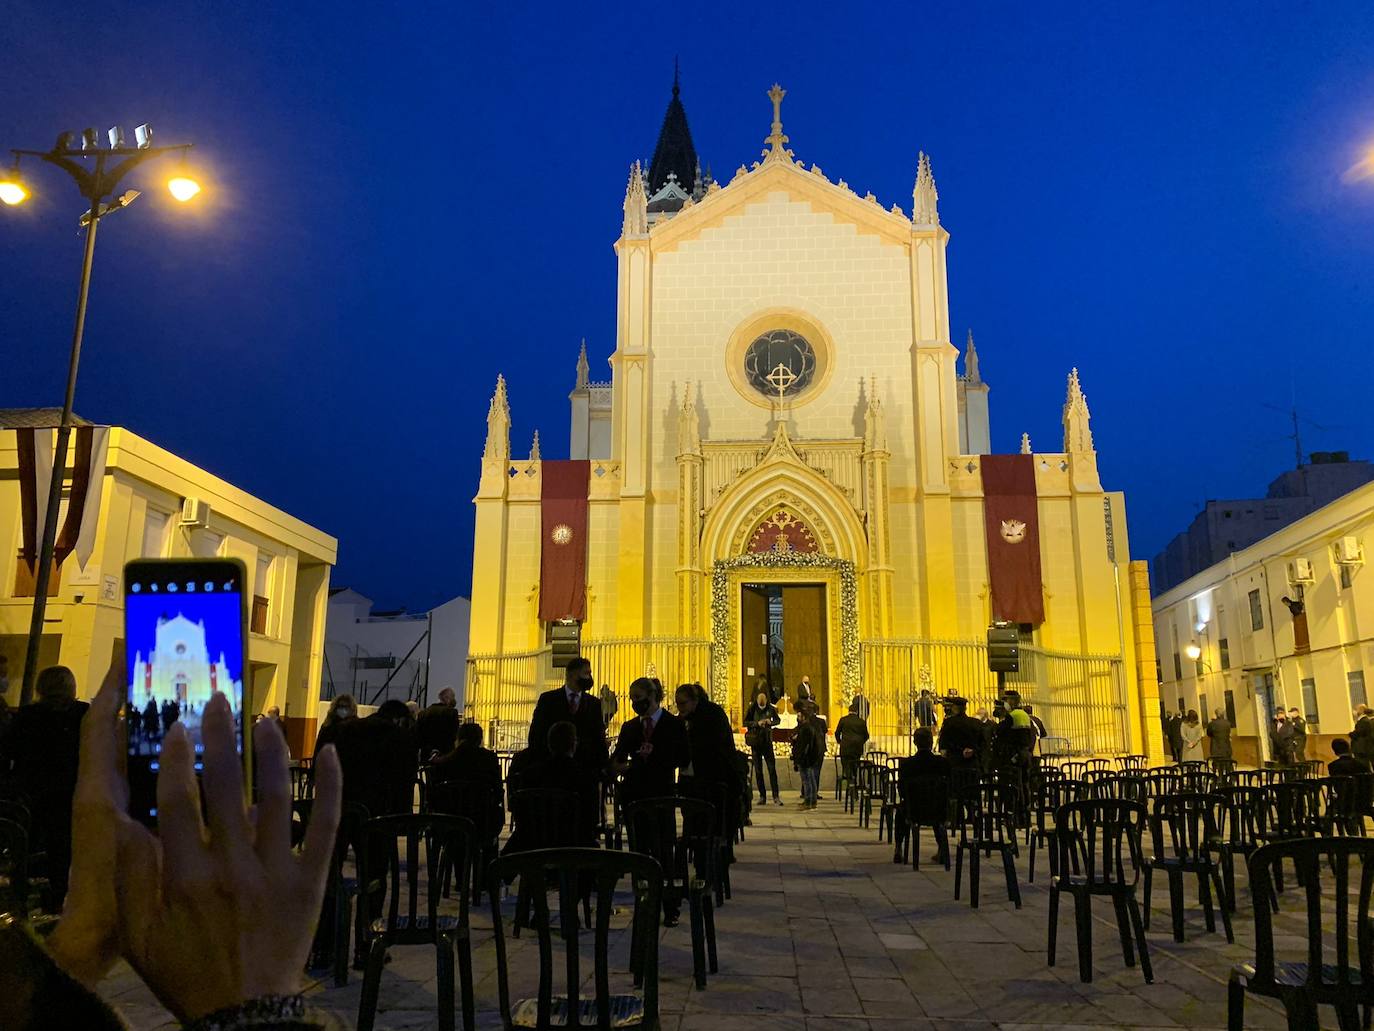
<point x="563" y="567"/>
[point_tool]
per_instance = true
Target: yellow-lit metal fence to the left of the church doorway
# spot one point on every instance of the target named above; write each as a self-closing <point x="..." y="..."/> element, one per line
<point x="502" y="689"/>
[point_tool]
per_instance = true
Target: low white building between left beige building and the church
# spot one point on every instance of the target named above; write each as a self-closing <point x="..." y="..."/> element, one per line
<point x="376" y="656"/>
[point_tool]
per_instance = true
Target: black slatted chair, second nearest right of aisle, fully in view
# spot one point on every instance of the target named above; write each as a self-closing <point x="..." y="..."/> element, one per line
<point x="1099" y="843"/>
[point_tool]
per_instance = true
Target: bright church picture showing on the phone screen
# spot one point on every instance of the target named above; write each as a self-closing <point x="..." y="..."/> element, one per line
<point x="183" y="651"/>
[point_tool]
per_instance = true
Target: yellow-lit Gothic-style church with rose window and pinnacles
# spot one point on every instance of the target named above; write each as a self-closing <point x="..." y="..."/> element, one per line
<point x="788" y="476"/>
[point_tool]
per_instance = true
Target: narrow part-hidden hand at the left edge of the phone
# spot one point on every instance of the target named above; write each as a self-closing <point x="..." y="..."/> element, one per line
<point x="86" y="944"/>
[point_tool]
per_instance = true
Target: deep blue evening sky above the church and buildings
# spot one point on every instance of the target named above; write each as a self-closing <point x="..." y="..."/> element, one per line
<point x="407" y="200"/>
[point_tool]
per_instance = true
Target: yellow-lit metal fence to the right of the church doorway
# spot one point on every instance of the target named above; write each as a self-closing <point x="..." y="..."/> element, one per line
<point x="1081" y="699"/>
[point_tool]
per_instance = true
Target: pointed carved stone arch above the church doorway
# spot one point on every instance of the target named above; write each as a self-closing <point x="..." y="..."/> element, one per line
<point x="784" y="480"/>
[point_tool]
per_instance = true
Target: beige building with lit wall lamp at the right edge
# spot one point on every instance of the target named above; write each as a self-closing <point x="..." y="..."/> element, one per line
<point x="1229" y="640"/>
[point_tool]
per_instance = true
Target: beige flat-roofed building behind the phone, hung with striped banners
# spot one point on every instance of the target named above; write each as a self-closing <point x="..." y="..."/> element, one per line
<point x="155" y="505"/>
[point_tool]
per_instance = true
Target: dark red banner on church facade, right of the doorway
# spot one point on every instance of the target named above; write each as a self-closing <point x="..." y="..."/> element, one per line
<point x="1013" y="531"/>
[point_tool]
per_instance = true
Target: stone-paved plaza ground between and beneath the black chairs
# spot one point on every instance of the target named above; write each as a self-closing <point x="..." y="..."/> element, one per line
<point x="824" y="931"/>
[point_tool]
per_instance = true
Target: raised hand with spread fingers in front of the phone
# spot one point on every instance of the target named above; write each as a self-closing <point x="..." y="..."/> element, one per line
<point x="212" y="918"/>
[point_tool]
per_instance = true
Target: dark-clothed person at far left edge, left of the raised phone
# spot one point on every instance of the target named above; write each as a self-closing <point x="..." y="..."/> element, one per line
<point x="45" y="746"/>
